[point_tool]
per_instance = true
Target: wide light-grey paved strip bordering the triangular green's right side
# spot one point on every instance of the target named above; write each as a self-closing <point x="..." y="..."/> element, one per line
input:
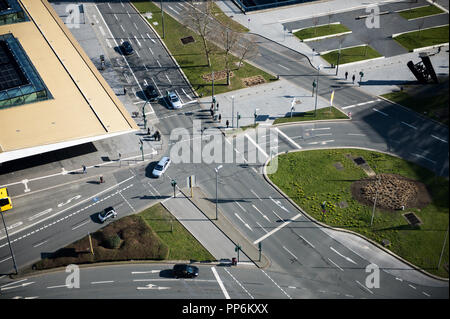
<point x="206" y="231"/>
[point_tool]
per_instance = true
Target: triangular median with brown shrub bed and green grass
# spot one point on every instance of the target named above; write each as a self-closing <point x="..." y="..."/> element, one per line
<point x="150" y="235"/>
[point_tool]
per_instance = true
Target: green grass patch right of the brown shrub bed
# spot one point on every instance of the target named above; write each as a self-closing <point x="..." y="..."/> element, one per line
<point x="182" y="245"/>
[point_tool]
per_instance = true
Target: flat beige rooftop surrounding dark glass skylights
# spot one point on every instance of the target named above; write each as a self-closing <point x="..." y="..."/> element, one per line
<point x="82" y="107"/>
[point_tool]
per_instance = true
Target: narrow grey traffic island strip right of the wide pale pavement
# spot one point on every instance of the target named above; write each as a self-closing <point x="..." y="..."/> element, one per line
<point x="207" y="207"/>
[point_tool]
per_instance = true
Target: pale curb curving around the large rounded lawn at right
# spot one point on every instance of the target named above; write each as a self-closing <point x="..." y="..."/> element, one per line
<point x="345" y="230"/>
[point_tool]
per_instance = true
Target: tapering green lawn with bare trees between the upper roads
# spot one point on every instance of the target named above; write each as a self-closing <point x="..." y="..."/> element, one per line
<point x="192" y="59"/>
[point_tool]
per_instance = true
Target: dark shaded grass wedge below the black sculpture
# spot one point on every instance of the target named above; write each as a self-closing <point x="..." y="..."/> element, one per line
<point x="435" y="107"/>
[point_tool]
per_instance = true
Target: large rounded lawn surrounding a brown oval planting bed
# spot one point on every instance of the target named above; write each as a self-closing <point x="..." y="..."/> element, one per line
<point x="310" y="177"/>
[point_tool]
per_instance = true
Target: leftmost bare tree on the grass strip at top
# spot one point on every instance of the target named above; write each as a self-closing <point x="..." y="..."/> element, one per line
<point x="199" y="17"/>
